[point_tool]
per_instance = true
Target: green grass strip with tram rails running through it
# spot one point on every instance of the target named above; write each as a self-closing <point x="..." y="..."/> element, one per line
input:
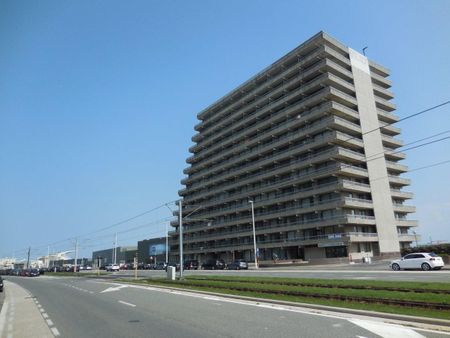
<point x="400" y="298"/>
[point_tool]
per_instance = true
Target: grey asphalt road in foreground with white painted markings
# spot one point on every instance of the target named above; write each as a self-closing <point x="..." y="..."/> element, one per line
<point x="80" y="307"/>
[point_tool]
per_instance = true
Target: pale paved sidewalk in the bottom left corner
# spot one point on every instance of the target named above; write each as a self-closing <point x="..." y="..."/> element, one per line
<point x="20" y="317"/>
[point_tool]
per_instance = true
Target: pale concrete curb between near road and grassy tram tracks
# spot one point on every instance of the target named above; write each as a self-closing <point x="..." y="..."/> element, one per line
<point x="405" y="320"/>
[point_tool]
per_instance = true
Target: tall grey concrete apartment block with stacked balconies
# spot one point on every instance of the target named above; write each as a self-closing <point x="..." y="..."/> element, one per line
<point x="310" y="141"/>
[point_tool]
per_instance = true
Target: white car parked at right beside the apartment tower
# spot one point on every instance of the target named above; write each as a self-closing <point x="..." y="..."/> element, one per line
<point x="418" y="260"/>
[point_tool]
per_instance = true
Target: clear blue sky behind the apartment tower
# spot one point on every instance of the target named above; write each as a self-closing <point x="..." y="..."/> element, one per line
<point x="98" y="101"/>
